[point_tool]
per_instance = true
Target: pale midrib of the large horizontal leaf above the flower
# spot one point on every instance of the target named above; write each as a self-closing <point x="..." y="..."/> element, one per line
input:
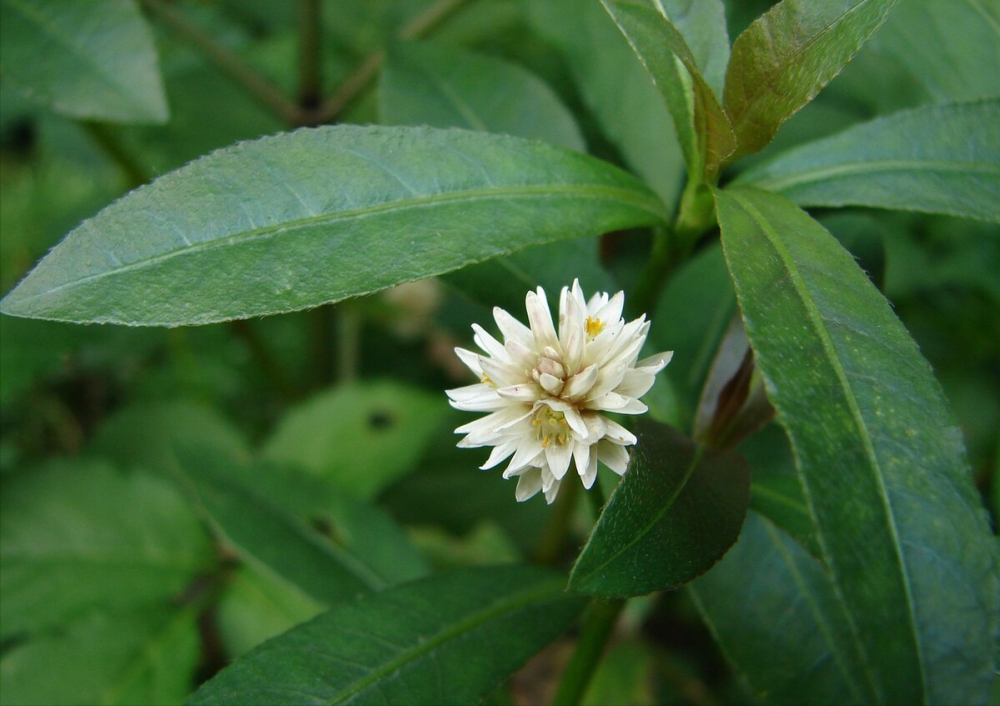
<point x="620" y="194"/>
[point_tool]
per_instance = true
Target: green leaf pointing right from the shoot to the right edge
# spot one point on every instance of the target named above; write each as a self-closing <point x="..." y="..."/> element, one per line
<point x="935" y="159"/>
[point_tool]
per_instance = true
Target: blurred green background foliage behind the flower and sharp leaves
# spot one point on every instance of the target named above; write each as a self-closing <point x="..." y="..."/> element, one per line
<point x="113" y="580"/>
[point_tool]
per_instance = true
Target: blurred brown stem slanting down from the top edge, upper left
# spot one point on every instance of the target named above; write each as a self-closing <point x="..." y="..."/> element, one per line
<point x="226" y="61"/>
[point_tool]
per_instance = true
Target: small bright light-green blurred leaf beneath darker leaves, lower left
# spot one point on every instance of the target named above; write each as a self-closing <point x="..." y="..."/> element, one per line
<point x="257" y="606"/>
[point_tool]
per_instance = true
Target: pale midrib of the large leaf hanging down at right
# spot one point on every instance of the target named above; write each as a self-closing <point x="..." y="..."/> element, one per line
<point x="815" y="318"/>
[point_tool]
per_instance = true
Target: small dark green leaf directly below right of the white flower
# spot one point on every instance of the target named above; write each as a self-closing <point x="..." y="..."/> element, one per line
<point x="679" y="502"/>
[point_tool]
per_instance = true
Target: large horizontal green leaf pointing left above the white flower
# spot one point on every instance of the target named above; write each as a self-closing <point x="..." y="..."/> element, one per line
<point x="318" y="215"/>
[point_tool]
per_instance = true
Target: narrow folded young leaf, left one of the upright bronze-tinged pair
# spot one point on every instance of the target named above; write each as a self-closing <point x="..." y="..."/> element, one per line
<point x="702" y="128"/>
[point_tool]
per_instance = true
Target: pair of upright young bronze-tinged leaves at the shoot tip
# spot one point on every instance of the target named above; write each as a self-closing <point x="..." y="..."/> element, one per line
<point x="777" y="66"/>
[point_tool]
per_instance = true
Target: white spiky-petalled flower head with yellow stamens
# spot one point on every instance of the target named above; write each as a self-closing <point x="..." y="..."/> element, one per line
<point x="545" y="392"/>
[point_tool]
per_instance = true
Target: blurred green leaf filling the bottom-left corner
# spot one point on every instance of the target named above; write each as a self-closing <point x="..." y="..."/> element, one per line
<point x="137" y="657"/>
